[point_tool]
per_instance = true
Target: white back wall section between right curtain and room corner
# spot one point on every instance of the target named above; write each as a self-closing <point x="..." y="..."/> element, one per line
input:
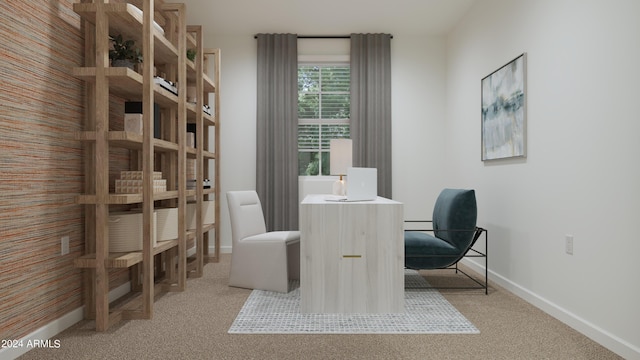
<point x="418" y="112"/>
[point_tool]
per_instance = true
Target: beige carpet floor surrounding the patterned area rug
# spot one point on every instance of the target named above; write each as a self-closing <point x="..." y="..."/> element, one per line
<point x="194" y="325"/>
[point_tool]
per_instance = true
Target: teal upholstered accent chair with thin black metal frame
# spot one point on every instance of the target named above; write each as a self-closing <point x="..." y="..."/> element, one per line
<point x="452" y="236"/>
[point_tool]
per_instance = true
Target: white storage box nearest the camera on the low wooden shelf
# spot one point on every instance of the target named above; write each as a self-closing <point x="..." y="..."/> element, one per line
<point x="125" y="231"/>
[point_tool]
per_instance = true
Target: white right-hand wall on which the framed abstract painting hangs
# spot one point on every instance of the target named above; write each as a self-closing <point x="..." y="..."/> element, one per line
<point x="581" y="176"/>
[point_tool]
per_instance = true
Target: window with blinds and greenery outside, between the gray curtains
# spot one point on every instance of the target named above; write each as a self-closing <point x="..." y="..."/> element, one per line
<point x="324" y="106"/>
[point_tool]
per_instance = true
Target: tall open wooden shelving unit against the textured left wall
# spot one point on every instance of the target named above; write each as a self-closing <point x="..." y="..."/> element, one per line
<point x="160" y="30"/>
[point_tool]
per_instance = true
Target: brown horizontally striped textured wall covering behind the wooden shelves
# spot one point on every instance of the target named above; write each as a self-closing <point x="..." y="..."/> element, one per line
<point x="41" y="105"/>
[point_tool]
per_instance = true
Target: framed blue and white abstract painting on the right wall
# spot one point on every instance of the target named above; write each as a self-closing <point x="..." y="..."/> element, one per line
<point x="504" y="111"/>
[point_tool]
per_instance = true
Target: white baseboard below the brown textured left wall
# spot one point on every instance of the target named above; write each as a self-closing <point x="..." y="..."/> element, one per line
<point x="55" y="327"/>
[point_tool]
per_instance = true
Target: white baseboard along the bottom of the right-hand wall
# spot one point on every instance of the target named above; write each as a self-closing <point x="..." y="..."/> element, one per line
<point x="602" y="337"/>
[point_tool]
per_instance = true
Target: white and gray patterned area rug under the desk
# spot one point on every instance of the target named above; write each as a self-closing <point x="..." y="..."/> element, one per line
<point x="426" y="312"/>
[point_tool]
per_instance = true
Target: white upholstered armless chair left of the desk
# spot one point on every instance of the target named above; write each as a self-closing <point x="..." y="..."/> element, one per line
<point x="260" y="259"/>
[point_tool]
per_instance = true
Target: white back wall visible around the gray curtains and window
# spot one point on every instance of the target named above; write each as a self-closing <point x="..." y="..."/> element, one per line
<point x="418" y="80"/>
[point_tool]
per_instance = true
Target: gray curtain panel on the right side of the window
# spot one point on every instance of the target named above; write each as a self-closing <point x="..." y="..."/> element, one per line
<point x="371" y="105"/>
